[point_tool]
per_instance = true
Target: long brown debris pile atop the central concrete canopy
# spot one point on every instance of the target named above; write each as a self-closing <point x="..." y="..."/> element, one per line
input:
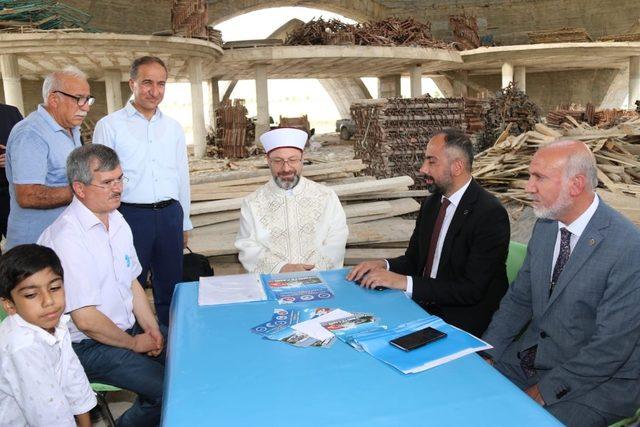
<point x="387" y="32"/>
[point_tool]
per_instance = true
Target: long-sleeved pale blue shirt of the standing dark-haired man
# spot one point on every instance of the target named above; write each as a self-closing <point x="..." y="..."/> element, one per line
<point x="153" y="156"/>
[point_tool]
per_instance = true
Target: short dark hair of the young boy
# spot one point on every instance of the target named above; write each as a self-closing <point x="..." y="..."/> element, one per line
<point x="24" y="261"/>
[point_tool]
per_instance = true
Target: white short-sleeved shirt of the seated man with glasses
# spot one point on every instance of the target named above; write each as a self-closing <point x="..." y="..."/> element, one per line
<point x="99" y="264"/>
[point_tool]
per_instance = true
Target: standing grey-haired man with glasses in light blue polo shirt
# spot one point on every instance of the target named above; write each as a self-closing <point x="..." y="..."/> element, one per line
<point x="37" y="151"/>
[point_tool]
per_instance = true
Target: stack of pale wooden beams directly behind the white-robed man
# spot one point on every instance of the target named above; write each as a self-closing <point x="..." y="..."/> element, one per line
<point x="373" y="208"/>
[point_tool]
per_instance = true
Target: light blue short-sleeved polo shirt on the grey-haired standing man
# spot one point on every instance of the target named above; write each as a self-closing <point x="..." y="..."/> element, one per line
<point x="37" y="152"/>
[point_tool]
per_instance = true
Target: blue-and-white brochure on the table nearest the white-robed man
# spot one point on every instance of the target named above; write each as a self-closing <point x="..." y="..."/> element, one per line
<point x="289" y="288"/>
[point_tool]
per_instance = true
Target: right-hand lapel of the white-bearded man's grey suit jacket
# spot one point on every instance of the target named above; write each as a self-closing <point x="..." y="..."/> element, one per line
<point x="586" y="245"/>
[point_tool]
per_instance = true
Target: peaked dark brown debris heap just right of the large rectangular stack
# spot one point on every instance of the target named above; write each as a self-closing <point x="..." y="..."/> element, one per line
<point x="510" y="112"/>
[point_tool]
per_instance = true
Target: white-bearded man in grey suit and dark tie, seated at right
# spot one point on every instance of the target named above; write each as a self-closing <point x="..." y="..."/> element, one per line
<point x="577" y="296"/>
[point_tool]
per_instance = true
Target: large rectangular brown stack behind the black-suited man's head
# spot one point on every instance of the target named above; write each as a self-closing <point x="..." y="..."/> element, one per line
<point x="392" y="134"/>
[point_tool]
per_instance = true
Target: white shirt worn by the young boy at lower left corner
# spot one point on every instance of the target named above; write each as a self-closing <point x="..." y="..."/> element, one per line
<point x="42" y="382"/>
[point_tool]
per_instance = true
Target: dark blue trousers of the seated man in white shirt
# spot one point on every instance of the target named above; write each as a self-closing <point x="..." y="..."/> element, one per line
<point x="139" y="373"/>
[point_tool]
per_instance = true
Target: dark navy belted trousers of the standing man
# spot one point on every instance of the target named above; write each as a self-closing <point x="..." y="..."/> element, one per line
<point x="158" y="239"/>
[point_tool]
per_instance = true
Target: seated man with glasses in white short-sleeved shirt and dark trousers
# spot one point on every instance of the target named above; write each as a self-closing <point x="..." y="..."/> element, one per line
<point x="113" y="329"/>
